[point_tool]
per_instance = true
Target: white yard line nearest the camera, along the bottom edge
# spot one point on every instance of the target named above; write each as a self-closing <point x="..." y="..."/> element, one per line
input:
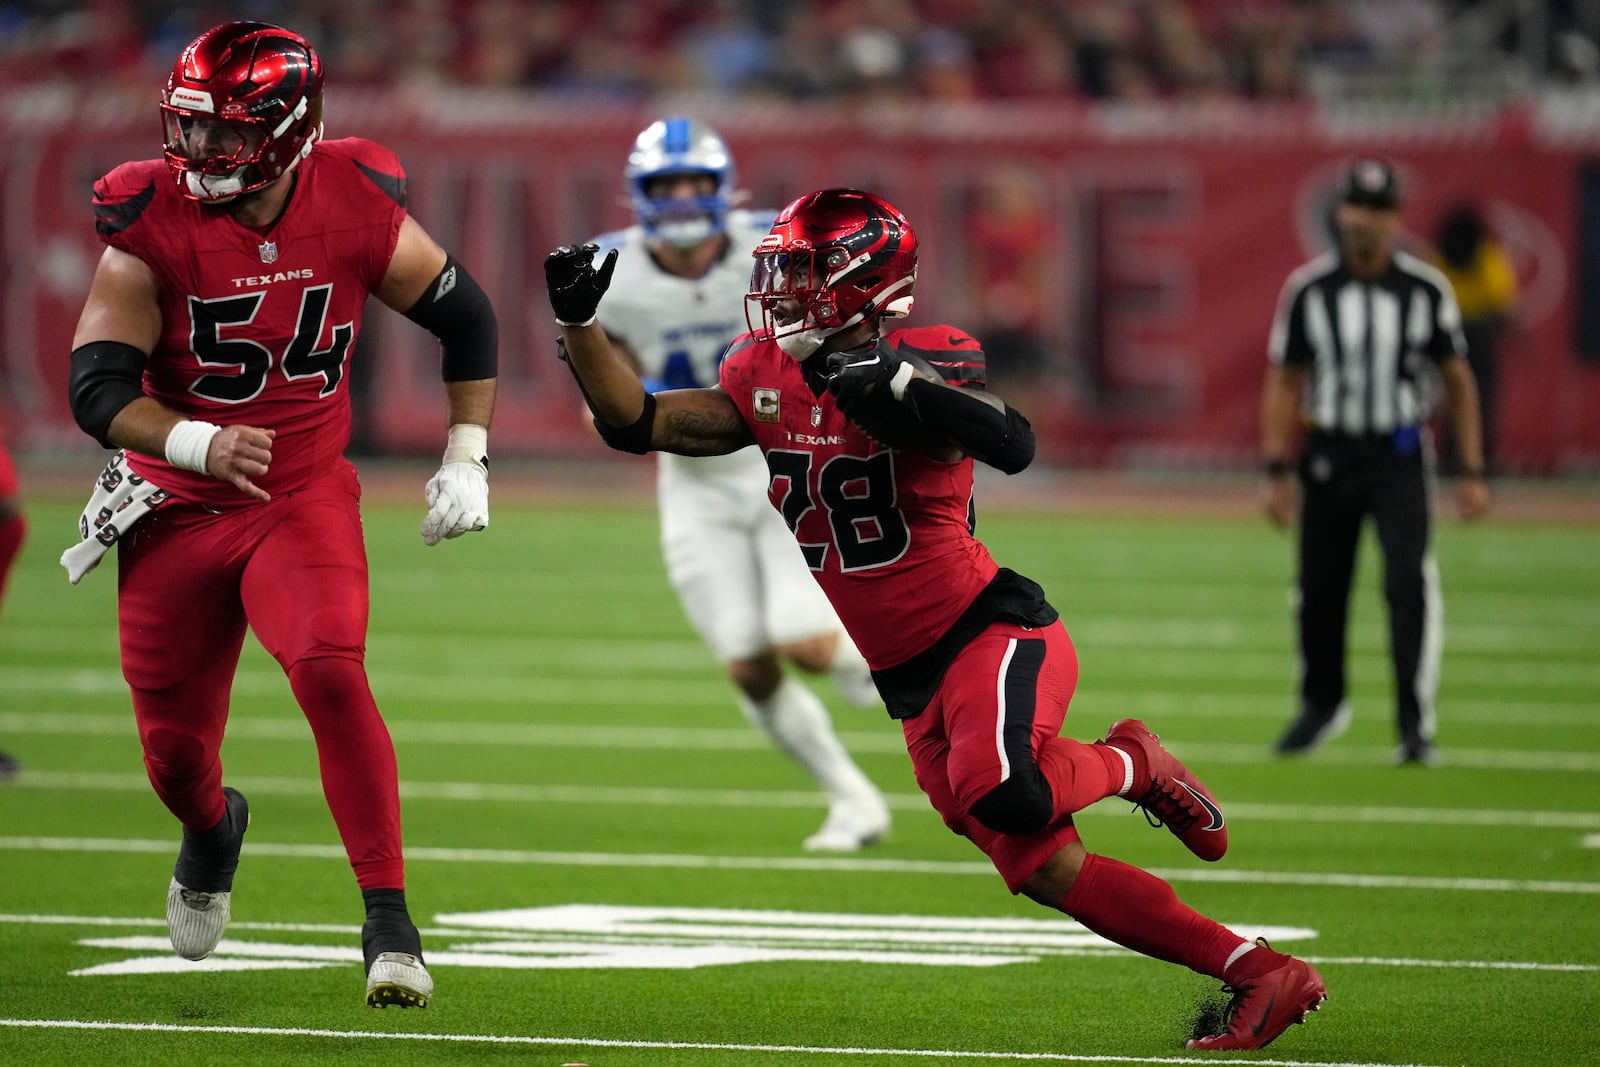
<point x="713" y="1047"/>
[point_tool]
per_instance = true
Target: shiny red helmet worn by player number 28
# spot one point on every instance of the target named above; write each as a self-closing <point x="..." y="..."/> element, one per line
<point x="833" y="260"/>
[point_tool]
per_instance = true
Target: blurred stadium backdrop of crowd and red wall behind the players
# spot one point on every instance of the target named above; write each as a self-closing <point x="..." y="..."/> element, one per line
<point x="1111" y="194"/>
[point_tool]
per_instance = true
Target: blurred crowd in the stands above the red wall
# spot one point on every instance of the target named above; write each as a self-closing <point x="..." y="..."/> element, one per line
<point x="951" y="50"/>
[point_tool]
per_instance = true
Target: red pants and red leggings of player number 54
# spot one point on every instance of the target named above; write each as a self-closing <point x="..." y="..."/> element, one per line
<point x="295" y="572"/>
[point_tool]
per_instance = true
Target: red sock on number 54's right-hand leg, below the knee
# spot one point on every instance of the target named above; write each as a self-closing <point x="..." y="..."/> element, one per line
<point x="359" y="775"/>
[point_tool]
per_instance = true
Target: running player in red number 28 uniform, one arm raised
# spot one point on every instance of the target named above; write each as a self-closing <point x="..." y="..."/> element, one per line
<point x="870" y="439"/>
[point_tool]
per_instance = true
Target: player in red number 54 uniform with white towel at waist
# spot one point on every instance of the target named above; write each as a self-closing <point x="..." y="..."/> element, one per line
<point x="214" y="354"/>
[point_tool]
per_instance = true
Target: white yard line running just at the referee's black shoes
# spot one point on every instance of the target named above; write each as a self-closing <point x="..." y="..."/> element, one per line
<point x="745" y="740"/>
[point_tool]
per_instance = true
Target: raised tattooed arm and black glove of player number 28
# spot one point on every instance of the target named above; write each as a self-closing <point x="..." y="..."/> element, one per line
<point x="684" y="422"/>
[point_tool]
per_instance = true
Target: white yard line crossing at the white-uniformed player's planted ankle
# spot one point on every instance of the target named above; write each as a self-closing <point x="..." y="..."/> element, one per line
<point x="670" y="797"/>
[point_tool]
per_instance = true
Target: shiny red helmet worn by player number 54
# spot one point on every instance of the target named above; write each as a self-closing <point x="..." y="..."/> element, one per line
<point x="242" y="108"/>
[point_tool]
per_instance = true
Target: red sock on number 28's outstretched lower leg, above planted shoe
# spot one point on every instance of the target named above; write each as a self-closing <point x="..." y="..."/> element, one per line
<point x="1142" y="913"/>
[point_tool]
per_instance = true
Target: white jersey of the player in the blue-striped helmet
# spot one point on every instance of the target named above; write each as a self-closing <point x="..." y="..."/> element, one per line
<point x="679" y="329"/>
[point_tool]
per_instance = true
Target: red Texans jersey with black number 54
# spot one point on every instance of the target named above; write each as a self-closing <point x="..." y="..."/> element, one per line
<point x="258" y="324"/>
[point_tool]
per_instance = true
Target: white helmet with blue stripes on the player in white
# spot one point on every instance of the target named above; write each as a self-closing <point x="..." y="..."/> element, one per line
<point x="681" y="146"/>
